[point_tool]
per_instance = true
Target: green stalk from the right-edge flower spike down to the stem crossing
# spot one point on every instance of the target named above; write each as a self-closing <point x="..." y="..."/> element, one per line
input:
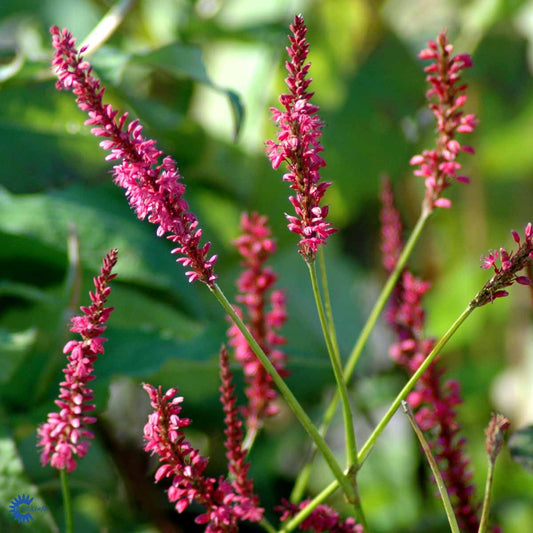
<point x="410" y="384"/>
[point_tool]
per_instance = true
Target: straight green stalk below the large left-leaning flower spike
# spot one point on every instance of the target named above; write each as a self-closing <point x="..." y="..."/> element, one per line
<point x="291" y="400"/>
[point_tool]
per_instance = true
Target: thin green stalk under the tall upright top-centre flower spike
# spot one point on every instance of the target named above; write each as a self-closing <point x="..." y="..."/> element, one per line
<point x="351" y="446"/>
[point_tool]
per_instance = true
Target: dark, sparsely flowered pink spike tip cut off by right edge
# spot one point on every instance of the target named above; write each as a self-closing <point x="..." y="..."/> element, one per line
<point x="506" y="274"/>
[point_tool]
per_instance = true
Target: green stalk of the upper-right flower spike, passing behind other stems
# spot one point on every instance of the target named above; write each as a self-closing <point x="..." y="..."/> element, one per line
<point x="305" y="472"/>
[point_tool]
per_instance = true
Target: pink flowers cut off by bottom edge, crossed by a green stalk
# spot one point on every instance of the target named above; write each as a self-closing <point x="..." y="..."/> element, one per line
<point x="323" y="519"/>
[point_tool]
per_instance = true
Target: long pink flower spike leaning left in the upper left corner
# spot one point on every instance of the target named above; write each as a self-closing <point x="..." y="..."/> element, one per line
<point x="153" y="184"/>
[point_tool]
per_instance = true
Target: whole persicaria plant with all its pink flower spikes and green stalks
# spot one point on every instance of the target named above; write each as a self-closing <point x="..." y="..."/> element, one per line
<point x="256" y="347"/>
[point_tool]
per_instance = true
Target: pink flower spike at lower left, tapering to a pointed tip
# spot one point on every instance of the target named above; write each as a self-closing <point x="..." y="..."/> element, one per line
<point x="65" y="435"/>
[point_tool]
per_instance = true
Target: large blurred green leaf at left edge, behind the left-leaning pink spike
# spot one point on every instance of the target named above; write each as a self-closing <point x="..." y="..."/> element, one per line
<point x="103" y="221"/>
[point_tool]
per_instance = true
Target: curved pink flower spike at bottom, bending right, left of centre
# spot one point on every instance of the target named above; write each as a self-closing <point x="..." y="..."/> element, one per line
<point x="185" y="466"/>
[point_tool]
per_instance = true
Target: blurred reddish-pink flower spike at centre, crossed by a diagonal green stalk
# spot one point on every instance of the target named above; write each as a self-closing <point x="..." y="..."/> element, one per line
<point x="264" y="316"/>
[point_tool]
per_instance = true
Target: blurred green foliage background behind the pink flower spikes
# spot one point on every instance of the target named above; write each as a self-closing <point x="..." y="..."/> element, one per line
<point x="201" y="75"/>
